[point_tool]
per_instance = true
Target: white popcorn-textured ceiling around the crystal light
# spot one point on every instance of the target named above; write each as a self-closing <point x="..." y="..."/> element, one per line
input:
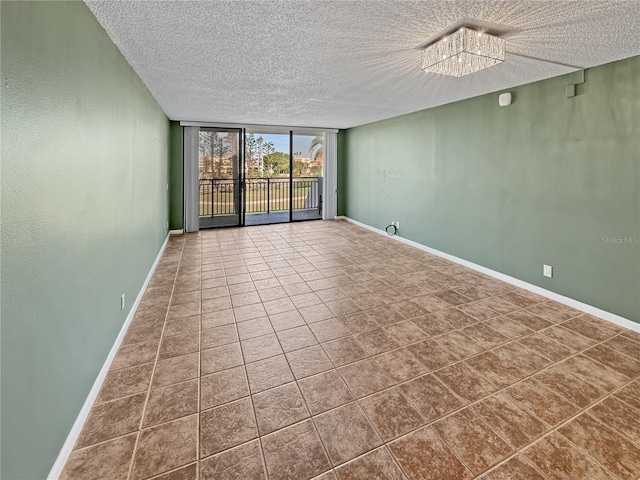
<point x="344" y="63"/>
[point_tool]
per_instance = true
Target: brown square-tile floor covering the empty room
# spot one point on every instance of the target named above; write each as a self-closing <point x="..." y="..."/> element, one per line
<point x="323" y="350"/>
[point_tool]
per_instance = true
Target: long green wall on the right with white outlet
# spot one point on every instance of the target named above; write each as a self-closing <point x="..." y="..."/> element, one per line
<point x="512" y="188"/>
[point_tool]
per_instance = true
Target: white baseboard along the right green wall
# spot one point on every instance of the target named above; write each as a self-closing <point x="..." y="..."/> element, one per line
<point x="584" y="307"/>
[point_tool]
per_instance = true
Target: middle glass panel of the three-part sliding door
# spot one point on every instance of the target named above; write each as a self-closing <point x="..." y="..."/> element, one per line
<point x="266" y="177"/>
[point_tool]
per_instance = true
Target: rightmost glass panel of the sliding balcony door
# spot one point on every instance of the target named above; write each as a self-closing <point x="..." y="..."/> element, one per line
<point x="308" y="156"/>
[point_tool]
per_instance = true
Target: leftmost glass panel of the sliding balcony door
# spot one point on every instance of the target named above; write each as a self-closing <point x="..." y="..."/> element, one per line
<point x="219" y="167"/>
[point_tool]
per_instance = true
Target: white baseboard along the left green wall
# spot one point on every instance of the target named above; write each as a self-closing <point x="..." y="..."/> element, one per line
<point x="67" y="447"/>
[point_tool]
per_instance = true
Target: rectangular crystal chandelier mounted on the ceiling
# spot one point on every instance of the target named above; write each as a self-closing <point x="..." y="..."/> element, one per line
<point x="463" y="52"/>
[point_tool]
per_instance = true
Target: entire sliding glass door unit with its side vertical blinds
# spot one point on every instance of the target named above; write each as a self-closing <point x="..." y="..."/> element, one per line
<point x="256" y="176"/>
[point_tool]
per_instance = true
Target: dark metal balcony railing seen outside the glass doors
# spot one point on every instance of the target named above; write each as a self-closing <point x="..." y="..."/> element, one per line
<point x="262" y="195"/>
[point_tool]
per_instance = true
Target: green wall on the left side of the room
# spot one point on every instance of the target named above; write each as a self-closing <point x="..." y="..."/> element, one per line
<point x="85" y="151"/>
